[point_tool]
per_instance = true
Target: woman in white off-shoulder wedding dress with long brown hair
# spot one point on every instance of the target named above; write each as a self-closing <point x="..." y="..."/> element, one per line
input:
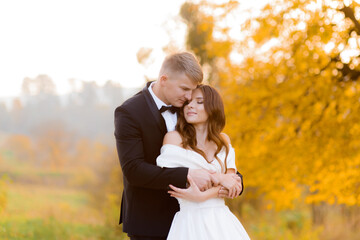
<point x="198" y="143"/>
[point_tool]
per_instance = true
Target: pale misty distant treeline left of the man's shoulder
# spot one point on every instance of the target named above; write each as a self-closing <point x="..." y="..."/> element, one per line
<point x="86" y="112"/>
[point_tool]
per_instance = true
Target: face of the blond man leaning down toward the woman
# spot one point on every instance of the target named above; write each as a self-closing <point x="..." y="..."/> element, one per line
<point x="177" y="89"/>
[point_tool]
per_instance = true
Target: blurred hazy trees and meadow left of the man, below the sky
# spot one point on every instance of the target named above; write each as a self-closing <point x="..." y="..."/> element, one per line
<point x="59" y="173"/>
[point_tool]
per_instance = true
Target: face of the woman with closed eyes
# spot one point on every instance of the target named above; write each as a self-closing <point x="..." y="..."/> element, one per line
<point x="194" y="111"/>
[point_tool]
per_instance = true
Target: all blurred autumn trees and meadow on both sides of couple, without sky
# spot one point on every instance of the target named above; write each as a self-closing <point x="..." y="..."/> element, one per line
<point x="290" y="86"/>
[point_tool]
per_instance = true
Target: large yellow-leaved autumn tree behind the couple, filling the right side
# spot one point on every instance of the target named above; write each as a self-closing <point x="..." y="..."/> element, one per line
<point x="292" y="102"/>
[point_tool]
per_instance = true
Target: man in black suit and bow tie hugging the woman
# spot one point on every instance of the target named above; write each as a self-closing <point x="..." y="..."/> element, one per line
<point x="141" y="122"/>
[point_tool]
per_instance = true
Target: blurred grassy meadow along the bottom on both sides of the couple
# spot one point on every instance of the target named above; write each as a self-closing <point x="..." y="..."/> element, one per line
<point x="72" y="202"/>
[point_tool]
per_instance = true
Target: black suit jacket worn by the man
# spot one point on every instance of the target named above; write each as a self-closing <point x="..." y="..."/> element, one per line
<point x="146" y="208"/>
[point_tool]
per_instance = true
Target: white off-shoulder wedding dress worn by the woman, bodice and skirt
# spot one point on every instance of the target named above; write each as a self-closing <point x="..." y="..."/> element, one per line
<point x="206" y="220"/>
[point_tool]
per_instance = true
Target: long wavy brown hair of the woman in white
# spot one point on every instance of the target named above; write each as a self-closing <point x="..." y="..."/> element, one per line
<point x="214" y="107"/>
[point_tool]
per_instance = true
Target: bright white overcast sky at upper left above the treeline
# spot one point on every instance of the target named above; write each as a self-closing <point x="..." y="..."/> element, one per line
<point x="83" y="39"/>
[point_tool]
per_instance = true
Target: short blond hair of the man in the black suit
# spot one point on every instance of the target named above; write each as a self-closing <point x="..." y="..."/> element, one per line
<point x="183" y="62"/>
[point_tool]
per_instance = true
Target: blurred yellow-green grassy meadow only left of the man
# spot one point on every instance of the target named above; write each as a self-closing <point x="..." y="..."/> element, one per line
<point x="44" y="203"/>
